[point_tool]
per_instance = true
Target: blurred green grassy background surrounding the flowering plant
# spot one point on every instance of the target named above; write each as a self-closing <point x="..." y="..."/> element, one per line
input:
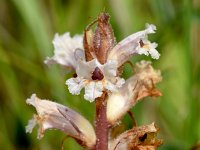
<point x="27" y="28"/>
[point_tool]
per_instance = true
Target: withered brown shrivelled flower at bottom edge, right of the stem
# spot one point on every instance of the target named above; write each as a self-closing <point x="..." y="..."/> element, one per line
<point x="138" y="138"/>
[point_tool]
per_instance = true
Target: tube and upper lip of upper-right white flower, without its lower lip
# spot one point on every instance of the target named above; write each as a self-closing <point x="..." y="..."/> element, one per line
<point x="127" y="47"/>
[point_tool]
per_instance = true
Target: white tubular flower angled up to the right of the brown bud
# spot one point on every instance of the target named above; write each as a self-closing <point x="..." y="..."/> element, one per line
<point x="128" y="46"/>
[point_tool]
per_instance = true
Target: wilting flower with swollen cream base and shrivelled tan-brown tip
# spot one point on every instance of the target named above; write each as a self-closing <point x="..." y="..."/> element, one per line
<point x="141" y="85"/>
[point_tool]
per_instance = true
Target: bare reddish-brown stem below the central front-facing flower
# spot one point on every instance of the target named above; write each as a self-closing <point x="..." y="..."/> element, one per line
<point x="101" y="123"/>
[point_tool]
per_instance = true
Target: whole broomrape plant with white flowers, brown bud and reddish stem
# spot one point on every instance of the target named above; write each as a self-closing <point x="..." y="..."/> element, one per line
<point x="97" y="60"/>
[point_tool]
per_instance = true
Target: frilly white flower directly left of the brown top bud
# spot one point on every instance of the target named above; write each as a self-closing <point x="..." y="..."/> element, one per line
<point x="65" y="47"/>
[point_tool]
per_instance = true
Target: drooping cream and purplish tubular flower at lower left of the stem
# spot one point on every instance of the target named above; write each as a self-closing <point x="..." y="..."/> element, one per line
<point x="51" y="115"/>
